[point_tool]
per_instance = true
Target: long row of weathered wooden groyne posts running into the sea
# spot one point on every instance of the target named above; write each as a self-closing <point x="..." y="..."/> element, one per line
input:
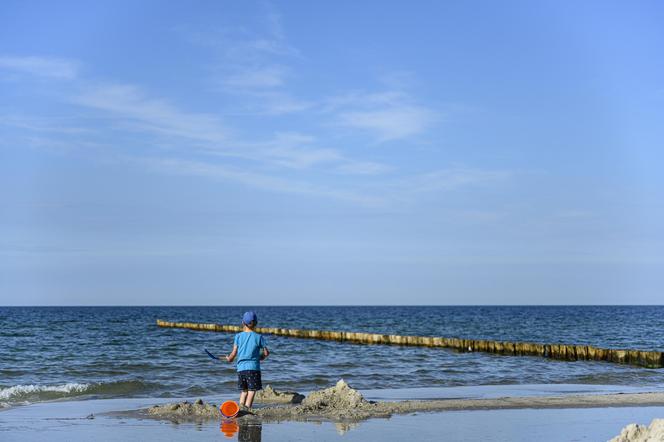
<point x="563" y="352"/>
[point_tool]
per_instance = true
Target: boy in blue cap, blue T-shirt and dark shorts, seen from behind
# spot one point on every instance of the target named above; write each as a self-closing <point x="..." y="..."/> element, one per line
<point x="250" y="349"/>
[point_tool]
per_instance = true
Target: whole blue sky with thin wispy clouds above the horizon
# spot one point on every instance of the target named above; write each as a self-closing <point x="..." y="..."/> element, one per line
<point x="331" y="152"/>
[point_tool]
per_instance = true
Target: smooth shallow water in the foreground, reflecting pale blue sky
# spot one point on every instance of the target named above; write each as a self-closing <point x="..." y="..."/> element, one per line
<point x="66" y="421"/>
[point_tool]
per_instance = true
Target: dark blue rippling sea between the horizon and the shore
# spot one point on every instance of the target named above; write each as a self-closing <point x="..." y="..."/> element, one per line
<point x="95" y="352"/>
